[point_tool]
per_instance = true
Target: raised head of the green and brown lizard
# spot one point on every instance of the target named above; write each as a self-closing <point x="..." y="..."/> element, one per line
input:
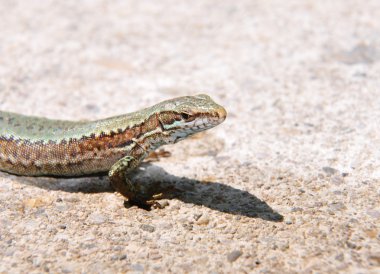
<point x="184" y="116"/>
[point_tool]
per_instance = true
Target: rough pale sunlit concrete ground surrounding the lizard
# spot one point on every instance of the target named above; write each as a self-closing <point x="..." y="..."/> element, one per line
<point x="288" y="183"/>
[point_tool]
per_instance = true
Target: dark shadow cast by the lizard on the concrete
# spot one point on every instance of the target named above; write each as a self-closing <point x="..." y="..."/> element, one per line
<point x="214" y="195"/>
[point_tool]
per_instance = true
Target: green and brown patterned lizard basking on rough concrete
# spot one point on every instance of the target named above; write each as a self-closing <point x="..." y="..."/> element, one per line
<point x="37" y="146"/>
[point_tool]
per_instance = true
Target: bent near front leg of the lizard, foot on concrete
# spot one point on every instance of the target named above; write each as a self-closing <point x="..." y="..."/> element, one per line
<point x="136" y="194"/>
